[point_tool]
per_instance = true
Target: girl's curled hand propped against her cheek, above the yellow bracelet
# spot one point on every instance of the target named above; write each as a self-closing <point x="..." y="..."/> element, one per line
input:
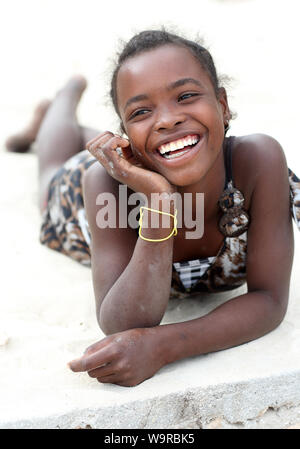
<point x="126" y="168"/>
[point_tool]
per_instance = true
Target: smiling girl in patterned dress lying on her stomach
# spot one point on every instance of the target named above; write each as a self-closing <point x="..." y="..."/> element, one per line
<point x="174" y="118"/>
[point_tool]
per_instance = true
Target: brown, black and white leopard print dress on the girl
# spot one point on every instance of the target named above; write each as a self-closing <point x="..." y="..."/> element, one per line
<point x="65" y="228"/>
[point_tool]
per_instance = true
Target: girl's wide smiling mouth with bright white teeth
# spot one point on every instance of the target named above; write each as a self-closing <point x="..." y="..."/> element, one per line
<point x="177" y="152"/>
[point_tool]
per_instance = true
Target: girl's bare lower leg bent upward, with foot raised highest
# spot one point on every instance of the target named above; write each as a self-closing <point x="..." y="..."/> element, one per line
<point x="60" y="136"/>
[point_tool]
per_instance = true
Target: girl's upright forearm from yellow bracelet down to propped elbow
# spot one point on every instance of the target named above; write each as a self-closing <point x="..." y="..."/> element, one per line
<point x="140" y="296"/>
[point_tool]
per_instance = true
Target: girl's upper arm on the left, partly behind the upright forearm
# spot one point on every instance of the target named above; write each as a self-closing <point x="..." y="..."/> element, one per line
<point x="111" y="248"/>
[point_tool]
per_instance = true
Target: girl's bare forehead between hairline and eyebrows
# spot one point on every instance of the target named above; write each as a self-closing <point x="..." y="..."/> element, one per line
<point x="154" y="69"/>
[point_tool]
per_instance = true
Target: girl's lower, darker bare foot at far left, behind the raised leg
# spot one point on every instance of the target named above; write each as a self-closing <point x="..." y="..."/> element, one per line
<point x="21" y="142"/>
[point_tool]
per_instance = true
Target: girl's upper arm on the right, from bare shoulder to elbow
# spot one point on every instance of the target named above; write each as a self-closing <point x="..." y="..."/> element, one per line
<point x="270" y="234"/>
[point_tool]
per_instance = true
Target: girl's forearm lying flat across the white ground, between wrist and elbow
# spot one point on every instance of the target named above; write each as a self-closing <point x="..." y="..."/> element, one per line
<point x="235" y="322"/>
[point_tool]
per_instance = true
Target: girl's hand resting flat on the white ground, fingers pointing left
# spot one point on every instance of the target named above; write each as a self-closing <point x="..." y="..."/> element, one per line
<point x="126" y="358"/>
